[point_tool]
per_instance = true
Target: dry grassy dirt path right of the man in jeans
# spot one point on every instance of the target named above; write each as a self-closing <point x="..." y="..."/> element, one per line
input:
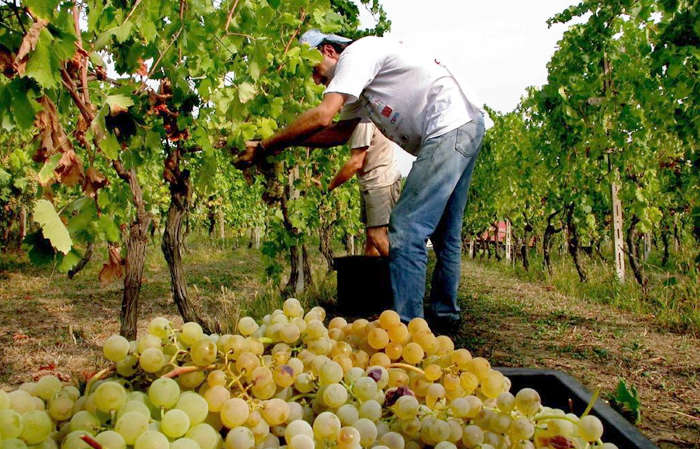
<point x="524" y="324"/>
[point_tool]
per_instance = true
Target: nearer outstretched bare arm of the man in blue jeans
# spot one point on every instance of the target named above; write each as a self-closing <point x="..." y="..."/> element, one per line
<point x="302" y="128"/>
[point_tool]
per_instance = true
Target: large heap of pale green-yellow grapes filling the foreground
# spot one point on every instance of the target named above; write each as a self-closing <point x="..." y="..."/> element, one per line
<point x="290" y="382"/>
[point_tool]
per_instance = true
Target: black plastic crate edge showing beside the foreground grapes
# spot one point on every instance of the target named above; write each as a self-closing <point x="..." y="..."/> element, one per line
<point x="559" y="390"/>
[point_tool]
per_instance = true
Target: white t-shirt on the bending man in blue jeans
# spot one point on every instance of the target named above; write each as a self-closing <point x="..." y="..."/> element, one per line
<point x="410" y="96"/>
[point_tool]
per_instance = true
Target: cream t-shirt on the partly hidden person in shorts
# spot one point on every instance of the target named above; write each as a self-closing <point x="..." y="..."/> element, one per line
<point x="380" y="167"/>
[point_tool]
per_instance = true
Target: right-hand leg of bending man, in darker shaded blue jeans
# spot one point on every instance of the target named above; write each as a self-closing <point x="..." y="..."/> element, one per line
<point x="447" y="241"/>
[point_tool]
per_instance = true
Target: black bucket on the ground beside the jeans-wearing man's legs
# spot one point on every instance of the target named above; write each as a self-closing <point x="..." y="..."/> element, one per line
<point x="364" y="286"/>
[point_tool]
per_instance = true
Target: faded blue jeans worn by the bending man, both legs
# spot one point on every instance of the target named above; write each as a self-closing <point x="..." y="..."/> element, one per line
<point x="431" y="206"/>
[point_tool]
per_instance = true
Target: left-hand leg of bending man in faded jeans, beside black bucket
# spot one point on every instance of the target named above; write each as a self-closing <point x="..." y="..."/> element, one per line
<point x="430" y="184"/>
